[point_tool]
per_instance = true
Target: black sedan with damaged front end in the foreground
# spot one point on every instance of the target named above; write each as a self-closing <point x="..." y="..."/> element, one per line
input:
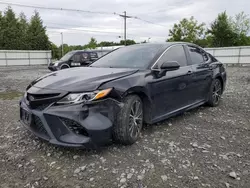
<point x="112" y="98"/>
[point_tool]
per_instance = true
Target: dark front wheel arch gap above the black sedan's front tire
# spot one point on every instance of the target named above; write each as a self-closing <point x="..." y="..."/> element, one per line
<point x="147" y="103"/>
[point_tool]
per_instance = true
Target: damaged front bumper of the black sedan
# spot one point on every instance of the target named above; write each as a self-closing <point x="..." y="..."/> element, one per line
<point x="81" y="125"/>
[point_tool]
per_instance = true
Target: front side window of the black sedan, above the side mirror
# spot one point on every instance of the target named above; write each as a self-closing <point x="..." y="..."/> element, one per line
<point x="175" y="53"/>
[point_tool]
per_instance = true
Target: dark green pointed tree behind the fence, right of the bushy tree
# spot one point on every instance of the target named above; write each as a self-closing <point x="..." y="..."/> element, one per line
<point x="222" y="31"/>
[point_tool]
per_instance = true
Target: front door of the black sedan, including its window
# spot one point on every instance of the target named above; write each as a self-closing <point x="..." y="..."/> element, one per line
<point x="171" y="91"/>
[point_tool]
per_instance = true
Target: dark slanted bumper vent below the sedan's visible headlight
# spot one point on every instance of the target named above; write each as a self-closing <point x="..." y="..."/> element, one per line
<point x="74" y="126"/>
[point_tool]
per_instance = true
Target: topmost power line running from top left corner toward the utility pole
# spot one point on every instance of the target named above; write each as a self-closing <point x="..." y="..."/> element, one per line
<point x="53" y="8"/>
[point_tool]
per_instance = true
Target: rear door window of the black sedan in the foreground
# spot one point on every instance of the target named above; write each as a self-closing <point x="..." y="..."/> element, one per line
<point x="197" y="55"/>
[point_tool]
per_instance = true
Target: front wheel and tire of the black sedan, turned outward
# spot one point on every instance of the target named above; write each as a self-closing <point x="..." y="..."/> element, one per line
<point x="128" y="121"/>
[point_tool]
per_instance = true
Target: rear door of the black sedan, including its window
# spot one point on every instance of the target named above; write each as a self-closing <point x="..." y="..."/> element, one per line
<point x="202" y="78"/>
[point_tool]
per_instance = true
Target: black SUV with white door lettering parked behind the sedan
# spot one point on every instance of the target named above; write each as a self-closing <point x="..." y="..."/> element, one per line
<point x="79" y="58"/>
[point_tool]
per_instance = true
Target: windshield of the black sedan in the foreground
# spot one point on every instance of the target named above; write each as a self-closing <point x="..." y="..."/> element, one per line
<point x="136" y="56"/>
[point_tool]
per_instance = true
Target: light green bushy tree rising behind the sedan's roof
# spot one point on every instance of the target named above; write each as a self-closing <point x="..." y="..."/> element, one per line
<point x="187" y="30"/>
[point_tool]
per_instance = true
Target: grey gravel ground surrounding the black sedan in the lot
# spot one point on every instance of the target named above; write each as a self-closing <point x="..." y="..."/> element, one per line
<point x="205" y="147"/>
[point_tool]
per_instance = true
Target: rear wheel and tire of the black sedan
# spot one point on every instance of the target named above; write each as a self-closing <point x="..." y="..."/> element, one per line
<point x="215" y="93"/>
